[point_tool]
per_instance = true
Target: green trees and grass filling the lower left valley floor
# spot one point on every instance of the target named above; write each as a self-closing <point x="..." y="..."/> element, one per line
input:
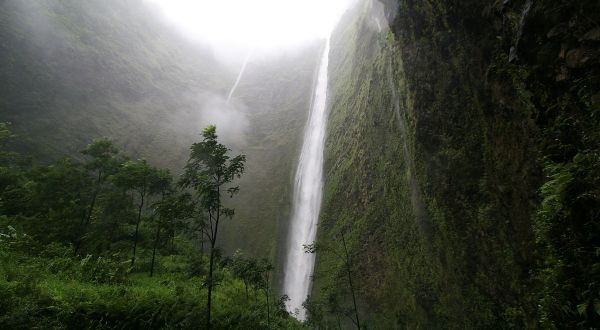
<point x="109" y="243"/>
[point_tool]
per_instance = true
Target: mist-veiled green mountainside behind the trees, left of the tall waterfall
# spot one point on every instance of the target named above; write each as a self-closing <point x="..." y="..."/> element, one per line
<point x="75" y="71"/>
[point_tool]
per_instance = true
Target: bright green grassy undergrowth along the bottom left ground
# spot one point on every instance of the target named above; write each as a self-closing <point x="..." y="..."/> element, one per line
<point x="34" y="296"/>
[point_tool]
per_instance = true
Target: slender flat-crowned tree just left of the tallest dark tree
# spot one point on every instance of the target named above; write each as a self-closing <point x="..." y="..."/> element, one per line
<point x="142" y="179"/>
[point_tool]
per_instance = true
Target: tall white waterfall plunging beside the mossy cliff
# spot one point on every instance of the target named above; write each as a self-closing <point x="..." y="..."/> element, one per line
<point x="308" y="190"/>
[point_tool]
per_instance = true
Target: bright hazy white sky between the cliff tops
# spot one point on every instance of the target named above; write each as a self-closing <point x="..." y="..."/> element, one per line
<point x="260" y="24"/>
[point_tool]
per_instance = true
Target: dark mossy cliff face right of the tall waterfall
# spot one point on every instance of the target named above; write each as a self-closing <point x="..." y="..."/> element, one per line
<point x="461" y="165"/>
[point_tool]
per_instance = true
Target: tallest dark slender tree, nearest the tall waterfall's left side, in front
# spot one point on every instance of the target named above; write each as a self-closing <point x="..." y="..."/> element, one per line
<point x="208" y="171"/>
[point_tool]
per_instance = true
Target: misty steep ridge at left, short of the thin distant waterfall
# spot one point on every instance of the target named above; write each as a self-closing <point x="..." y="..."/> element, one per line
<point x="75" y="71"/>
